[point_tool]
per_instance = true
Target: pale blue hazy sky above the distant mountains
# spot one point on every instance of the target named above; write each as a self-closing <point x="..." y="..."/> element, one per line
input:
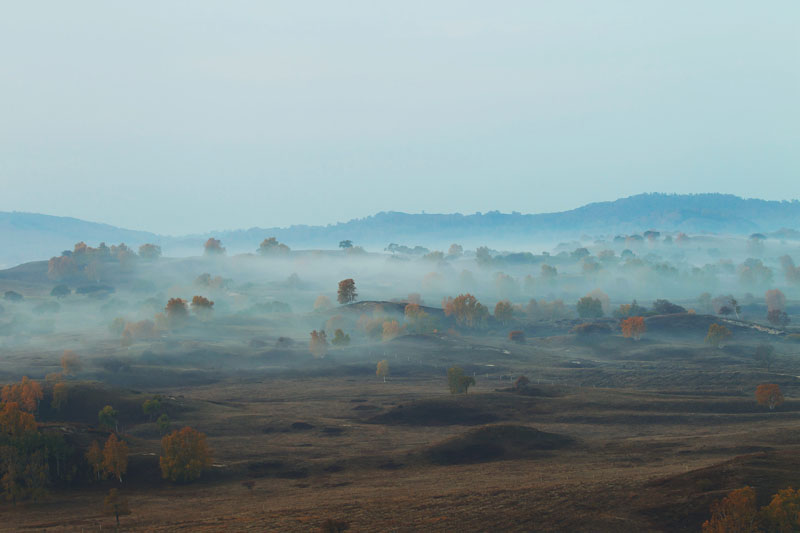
<point x="182" y="117"/>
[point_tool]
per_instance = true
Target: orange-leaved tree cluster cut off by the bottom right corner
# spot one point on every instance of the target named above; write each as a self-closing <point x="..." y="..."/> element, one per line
<point x="738" y="511"/>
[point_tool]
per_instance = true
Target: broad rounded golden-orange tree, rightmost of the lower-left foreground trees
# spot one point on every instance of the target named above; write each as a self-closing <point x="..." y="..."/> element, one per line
<point x="184" y="455"/>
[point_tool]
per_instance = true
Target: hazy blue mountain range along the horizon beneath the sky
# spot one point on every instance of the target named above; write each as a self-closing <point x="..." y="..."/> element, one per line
<point x="28" y="236"/>
